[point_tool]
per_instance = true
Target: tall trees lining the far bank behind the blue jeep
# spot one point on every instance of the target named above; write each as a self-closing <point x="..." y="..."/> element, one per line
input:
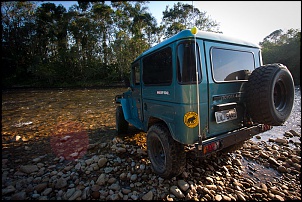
<point x="94" y="43"/>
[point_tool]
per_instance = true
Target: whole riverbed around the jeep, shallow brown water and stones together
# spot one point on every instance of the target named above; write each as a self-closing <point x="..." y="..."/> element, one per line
<point x="61" y="145"/>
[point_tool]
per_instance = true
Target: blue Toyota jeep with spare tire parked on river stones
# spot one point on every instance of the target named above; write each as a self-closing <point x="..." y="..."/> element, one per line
<point x="203" y="91"/>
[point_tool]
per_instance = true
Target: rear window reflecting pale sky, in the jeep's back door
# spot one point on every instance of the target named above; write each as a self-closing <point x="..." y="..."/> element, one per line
<point x="231" y="65"/>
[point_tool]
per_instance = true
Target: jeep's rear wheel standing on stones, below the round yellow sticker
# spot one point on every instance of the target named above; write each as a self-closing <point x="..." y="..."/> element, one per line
<point x="168" y="158"/>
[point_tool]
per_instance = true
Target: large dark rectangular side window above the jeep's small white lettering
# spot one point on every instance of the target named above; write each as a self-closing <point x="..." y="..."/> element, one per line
<point x="157" y="68"/>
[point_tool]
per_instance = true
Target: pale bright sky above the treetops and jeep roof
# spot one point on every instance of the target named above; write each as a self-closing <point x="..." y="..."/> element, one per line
<point x="248" y="20"/>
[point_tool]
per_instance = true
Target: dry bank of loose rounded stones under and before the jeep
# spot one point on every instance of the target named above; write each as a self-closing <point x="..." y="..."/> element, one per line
<point x="120" y="170"/>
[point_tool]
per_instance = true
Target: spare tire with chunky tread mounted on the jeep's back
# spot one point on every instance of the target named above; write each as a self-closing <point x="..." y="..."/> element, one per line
<point x="270" y="94"/>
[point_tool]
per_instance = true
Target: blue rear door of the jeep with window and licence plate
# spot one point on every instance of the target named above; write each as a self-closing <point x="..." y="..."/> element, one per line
<point x="228" y="69"/>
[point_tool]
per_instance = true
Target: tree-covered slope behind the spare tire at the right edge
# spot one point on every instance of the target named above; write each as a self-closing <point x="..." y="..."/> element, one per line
<point x="280" y="47"/>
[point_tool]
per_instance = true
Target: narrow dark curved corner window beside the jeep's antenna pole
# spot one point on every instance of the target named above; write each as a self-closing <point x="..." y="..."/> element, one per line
<point x="186" y="63"/>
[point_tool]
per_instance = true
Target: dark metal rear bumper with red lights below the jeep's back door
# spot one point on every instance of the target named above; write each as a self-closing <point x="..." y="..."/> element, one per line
<point x="220" y="142"/>
